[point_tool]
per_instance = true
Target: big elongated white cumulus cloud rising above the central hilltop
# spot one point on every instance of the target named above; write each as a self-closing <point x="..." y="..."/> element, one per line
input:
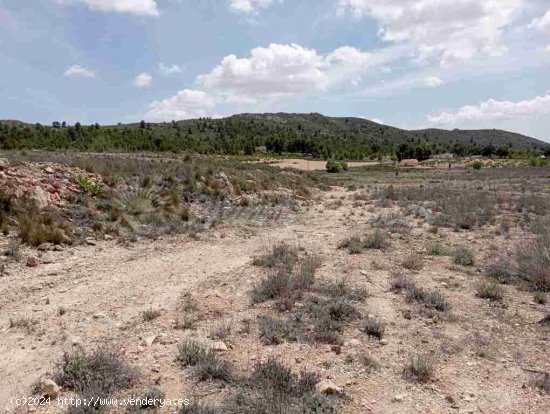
<point x="267" y="74"/>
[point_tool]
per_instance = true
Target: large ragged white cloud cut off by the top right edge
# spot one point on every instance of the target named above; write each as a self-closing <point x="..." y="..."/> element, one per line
<point x="451" y="30"/>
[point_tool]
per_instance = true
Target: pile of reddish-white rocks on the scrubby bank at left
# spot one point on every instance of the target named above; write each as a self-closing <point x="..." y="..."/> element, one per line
<point x="43" y="185"/>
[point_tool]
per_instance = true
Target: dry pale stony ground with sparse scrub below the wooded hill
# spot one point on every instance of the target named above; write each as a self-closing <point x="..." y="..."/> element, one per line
<point x="250" y="289"/>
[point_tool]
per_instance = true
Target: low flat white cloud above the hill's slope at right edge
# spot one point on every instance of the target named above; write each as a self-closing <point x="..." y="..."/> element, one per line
<point x="493" y="110"/>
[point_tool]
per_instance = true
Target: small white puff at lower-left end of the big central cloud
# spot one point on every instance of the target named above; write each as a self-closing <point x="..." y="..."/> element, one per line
<point x="184" y="105"/>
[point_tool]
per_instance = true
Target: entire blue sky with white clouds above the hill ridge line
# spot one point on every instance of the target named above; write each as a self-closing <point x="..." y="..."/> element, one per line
<point x="408" y="63"/>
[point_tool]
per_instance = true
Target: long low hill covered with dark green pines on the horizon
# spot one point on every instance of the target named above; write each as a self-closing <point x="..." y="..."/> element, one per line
<point x="315" y="134"/>
